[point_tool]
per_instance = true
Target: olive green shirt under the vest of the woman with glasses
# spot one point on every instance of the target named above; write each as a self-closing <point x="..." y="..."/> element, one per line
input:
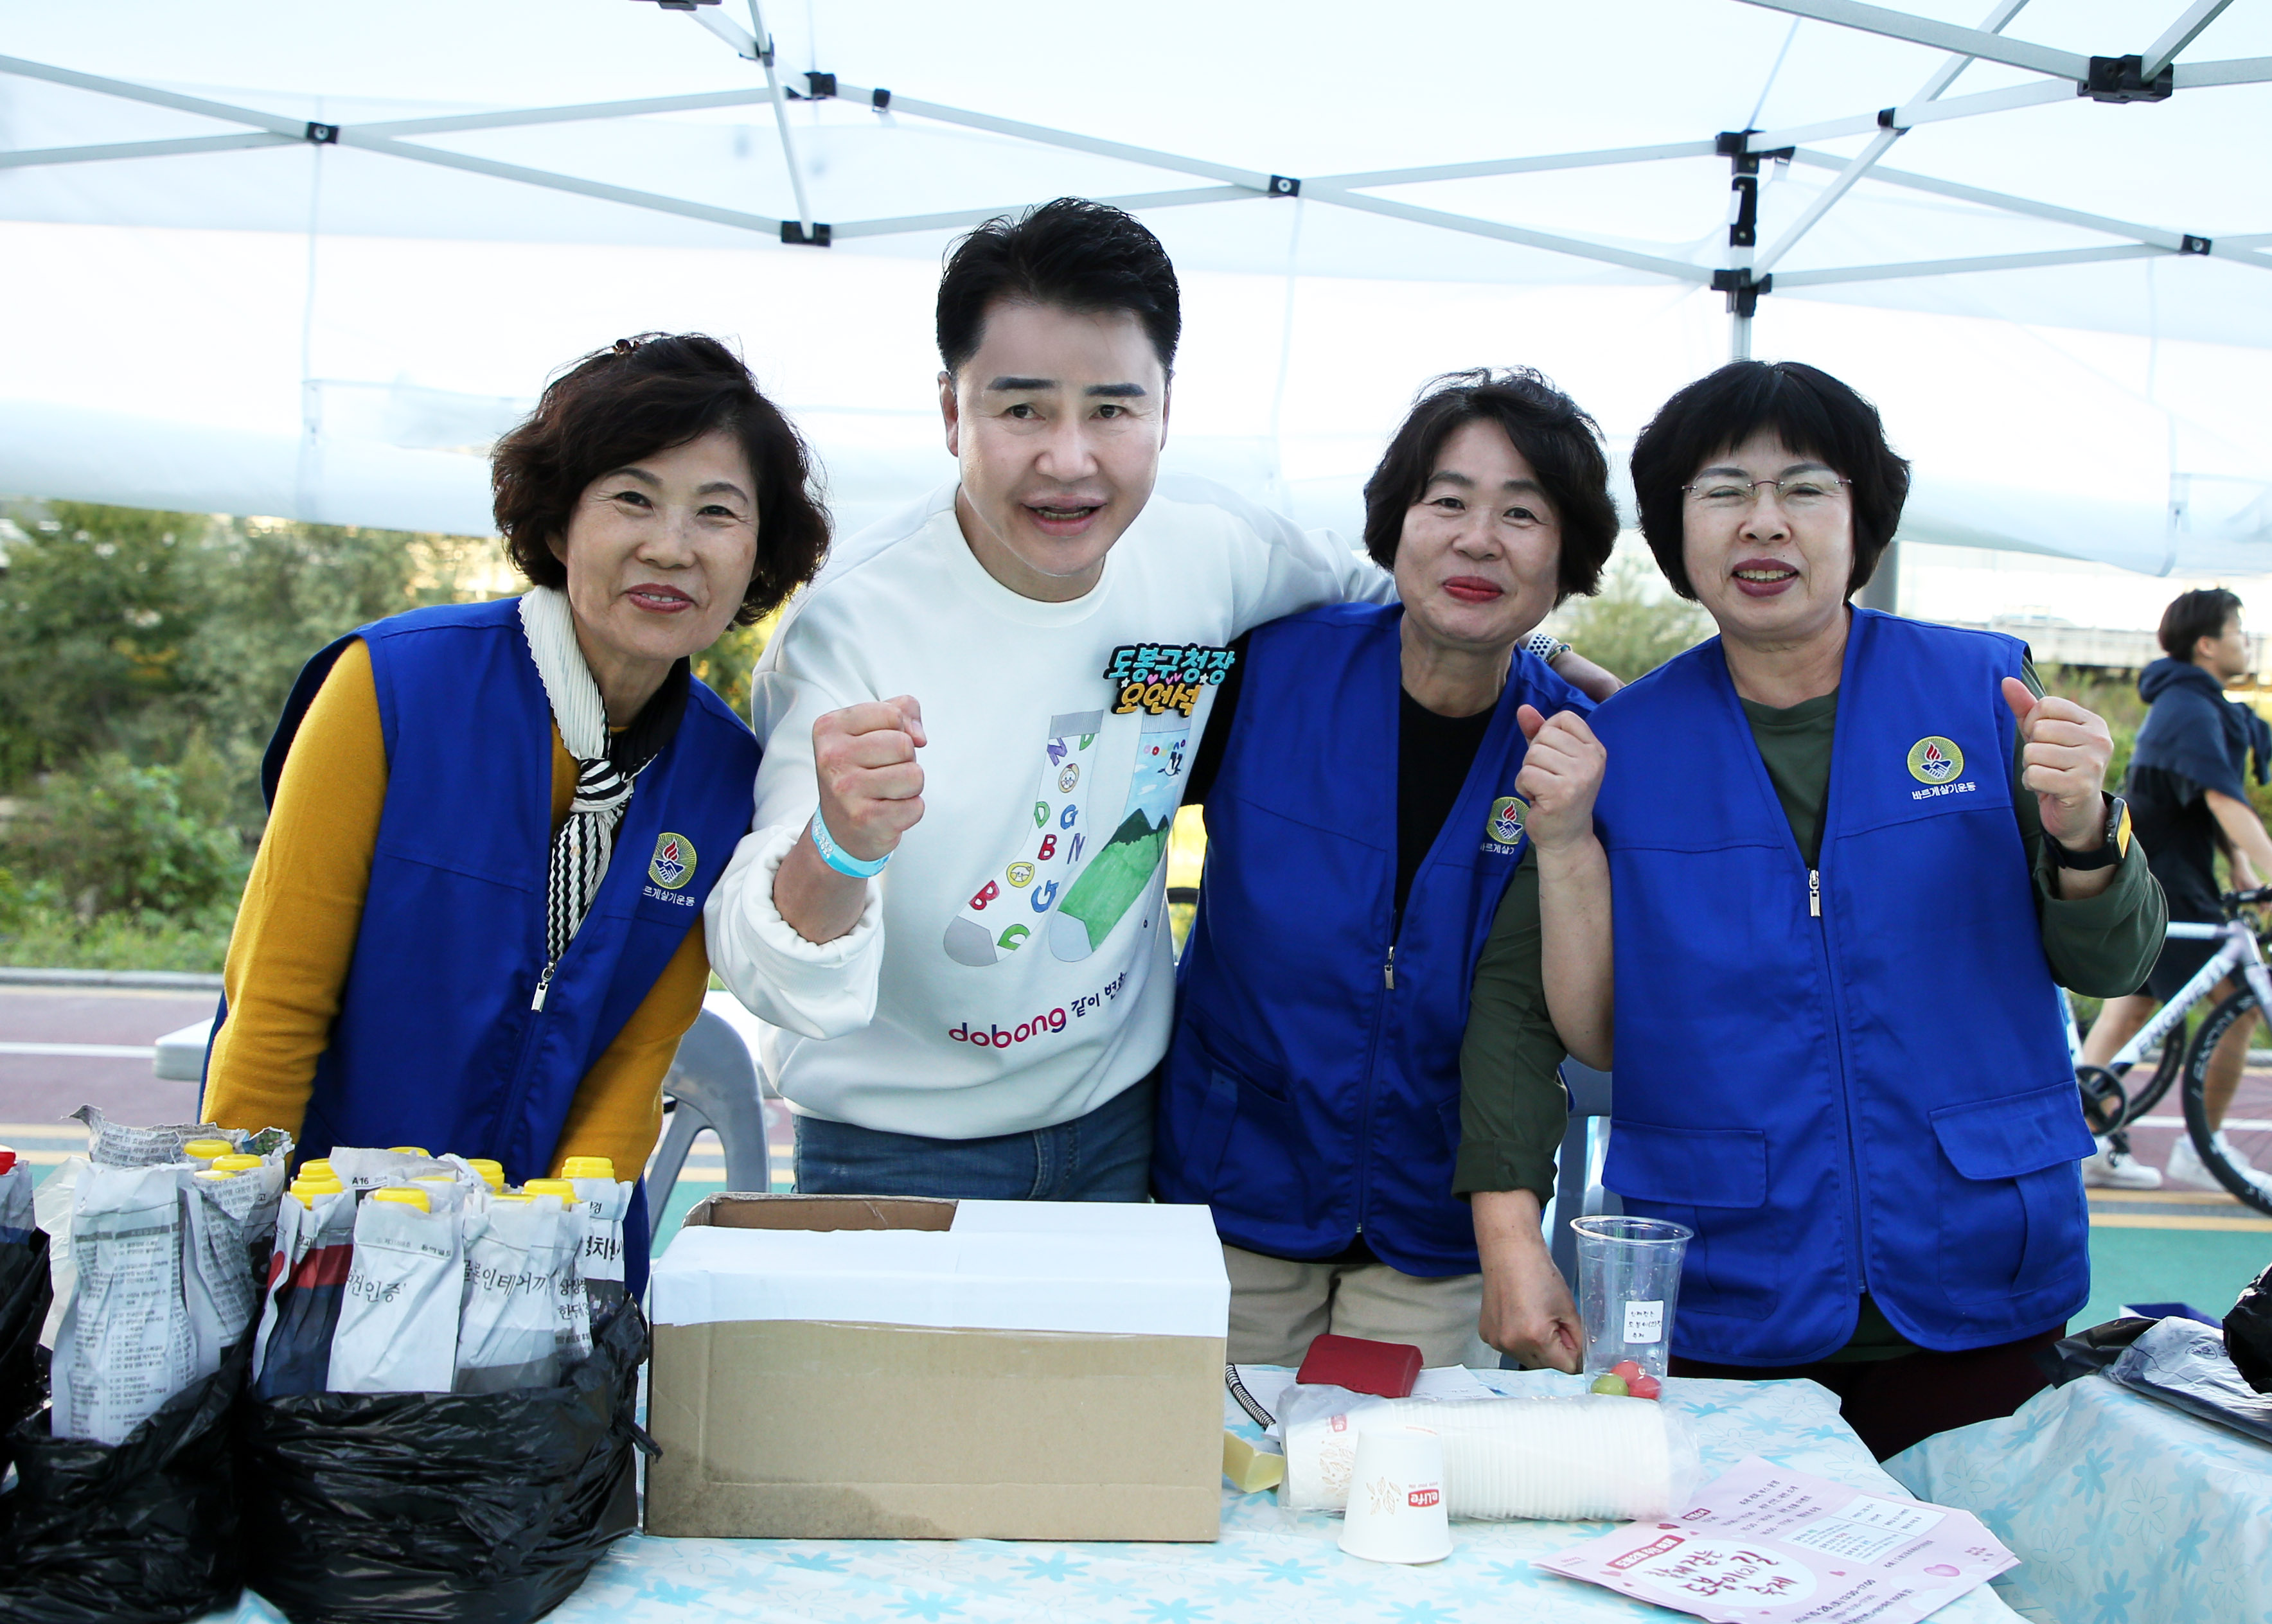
<point x="1512" y="1103"/>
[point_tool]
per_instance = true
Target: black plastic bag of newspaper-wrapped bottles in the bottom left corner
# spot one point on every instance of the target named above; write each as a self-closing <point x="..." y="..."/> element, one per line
<point x="126" y="1534"/>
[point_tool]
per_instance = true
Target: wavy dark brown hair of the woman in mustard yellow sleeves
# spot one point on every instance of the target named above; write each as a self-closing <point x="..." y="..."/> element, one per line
<point x="642" y="396"/>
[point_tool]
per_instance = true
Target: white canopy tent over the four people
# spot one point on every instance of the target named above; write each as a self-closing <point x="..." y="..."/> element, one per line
<point x="310" y="262"/>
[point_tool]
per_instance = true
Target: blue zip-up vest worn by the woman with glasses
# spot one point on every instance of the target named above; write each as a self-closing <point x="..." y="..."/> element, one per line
<point x="1864" y="1094"/>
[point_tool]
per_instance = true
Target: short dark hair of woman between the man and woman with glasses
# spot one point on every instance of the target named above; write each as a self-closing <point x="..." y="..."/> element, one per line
<point x="1555" y="437"/>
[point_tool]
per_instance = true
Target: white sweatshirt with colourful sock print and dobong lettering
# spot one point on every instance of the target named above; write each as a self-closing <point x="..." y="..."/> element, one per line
<point x="1014" y="966"/>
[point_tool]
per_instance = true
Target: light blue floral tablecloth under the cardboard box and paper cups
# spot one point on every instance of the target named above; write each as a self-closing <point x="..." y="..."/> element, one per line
<point x="1269" y="1566"/>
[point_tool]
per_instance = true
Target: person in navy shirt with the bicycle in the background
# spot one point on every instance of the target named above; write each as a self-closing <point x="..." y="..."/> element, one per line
<point x="2189" y="801"/>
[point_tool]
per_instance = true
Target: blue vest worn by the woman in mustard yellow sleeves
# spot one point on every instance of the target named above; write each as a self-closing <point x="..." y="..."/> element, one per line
<point x="435" y="1039"/>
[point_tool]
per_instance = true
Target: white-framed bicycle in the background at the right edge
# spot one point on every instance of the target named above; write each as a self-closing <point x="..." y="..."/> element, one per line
<point x="2112" y="1110"/>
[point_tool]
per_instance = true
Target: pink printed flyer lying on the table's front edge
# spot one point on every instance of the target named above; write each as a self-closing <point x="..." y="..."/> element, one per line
<point x="1766" y="1546"/>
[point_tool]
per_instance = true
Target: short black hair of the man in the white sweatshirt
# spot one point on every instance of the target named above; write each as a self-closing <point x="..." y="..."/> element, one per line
<point x="1071" y="253"/>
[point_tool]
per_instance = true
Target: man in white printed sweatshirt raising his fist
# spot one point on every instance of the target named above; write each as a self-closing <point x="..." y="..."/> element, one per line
<point x="999" y="694"/>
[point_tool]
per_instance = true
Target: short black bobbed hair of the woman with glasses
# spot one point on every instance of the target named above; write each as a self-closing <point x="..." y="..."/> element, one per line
<point x="1810" y="412"/>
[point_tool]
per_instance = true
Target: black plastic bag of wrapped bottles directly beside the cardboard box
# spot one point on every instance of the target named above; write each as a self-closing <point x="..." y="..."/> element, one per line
<point x="444" y="1507"/>
